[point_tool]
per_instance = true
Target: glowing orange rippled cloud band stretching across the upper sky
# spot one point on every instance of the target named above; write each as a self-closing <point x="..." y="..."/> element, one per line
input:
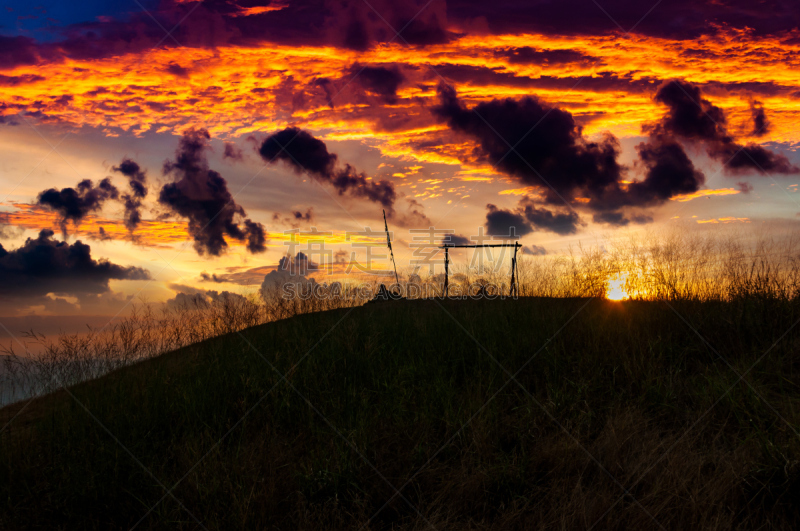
<point x="236" y="90"/>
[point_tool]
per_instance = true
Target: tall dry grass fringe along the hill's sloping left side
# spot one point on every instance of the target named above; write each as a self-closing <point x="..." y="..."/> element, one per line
<point x="35" y="364"/>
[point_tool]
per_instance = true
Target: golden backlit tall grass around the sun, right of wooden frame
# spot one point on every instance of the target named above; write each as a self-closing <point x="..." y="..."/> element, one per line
<point x="671" y="266"/>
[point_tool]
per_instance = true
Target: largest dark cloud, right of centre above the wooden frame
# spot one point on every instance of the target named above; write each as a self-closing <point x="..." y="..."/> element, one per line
<point x="563" y="163"/>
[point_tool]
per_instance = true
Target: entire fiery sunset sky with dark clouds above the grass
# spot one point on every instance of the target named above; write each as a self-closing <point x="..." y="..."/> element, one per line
<point x="179" y="140"/>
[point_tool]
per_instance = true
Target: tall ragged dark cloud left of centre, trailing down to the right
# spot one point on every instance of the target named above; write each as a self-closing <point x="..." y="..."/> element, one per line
<point x="201" y="195"/>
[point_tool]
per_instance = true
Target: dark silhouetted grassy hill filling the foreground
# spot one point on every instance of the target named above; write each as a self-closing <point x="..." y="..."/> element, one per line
<point x="406" y="416"/>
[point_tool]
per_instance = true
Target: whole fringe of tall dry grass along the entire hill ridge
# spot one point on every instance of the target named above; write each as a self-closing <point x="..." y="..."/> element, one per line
<point x="670" y="266"/>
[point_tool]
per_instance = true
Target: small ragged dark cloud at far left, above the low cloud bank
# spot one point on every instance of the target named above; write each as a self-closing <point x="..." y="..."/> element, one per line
<point x="74" y="204"/>
